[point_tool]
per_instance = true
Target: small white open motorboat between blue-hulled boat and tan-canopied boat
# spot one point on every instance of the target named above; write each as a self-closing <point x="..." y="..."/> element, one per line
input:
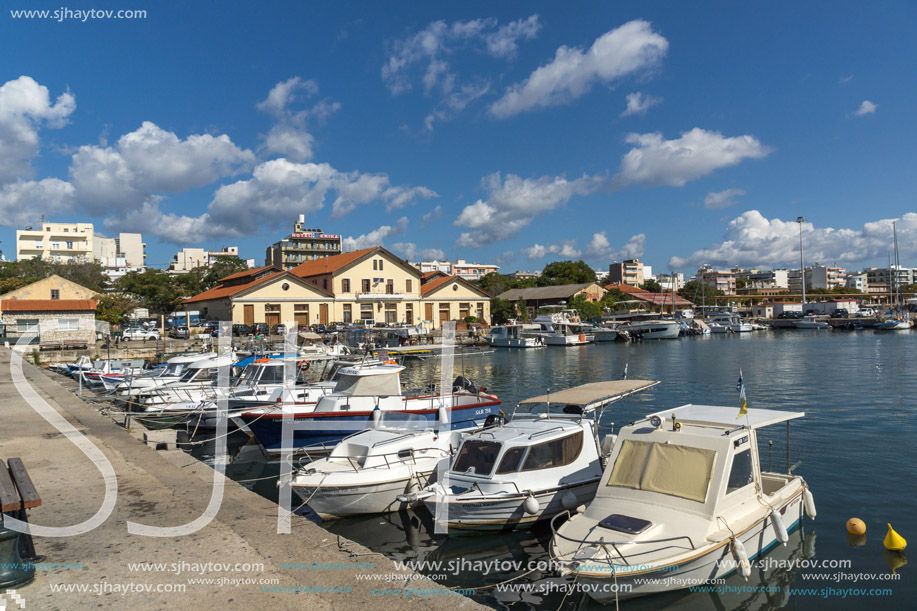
<point x="367" y="471"/>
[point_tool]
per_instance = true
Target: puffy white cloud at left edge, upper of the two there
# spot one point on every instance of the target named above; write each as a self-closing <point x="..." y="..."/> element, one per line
<point x="24" y="105"/>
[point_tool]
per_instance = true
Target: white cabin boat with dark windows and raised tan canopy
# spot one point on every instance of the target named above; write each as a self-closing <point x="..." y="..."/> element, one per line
<point x="533" y="467"/>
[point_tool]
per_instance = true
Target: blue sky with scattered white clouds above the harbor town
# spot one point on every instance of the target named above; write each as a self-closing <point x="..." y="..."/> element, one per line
<point x="515" y="133"/>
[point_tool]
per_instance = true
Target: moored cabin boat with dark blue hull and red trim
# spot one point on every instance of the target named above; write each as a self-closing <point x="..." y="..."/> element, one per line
<point x="358" y="401"/>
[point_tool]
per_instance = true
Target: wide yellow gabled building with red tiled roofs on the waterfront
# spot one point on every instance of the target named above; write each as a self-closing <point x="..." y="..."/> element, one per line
<point x="369" y="286"/>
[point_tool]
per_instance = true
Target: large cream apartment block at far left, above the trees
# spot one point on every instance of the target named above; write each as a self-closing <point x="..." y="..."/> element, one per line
<point x="64" y="242"/>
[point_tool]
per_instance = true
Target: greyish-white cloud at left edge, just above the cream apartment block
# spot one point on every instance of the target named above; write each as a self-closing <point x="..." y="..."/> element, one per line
<point x="23" y="202"/>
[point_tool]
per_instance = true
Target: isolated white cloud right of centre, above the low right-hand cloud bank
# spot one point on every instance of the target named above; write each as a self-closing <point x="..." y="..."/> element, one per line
<point x="696" y="153"/>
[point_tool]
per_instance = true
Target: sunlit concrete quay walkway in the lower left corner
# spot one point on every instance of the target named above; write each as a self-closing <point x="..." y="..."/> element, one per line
<point x="237" y="559"/>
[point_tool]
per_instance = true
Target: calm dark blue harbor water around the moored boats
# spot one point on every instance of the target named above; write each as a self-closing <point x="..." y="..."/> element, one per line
<point x="855" y="445"/>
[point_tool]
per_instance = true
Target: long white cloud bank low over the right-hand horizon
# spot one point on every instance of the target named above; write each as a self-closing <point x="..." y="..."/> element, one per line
<point x="753" y="240"/>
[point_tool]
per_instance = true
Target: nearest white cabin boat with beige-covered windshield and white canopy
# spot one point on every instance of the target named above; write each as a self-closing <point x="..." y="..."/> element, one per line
<point x="683" y="501"/>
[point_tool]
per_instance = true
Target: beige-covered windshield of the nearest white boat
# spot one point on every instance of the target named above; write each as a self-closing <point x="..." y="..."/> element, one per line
<point x="681" y="471"/>
